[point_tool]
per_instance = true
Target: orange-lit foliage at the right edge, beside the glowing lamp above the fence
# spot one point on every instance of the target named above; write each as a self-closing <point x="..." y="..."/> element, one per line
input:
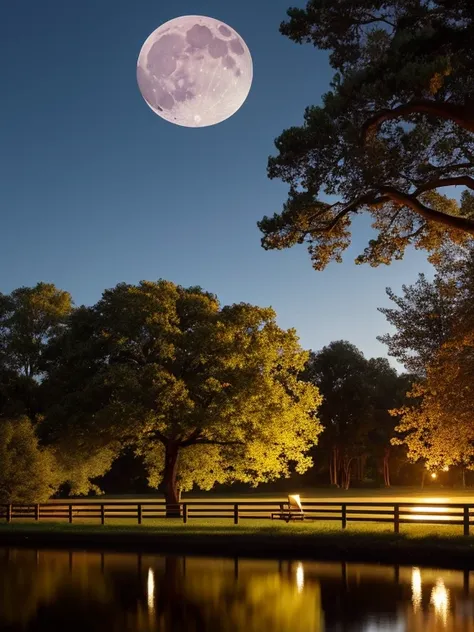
<point x="437" y="426"/>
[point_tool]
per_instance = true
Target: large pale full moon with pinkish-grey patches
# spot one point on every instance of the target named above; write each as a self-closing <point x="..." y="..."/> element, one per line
<point x="195" y="71"/>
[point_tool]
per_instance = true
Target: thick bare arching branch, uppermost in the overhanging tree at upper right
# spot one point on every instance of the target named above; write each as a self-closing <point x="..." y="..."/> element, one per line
<point x="458" y="114"/>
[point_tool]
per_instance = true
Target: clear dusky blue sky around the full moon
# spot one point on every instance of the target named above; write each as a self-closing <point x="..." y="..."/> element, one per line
<point x="96" y="189"/>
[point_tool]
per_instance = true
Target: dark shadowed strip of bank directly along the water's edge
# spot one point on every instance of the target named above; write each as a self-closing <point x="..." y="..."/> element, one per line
<point x="442" y="552"/>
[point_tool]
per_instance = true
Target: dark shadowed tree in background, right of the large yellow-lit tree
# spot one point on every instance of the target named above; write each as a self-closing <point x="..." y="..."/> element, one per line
<point x="357" y="396"/>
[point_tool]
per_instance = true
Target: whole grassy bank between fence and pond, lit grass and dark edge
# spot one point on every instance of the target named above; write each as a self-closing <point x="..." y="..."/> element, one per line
<point x="416" y="545"/>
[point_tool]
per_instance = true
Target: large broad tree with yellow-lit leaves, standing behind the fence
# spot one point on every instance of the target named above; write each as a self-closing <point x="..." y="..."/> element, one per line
<point x="206" y="393"/>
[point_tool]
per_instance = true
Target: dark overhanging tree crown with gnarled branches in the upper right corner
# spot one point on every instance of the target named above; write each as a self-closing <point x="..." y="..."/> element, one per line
<point x="393" y="132"/>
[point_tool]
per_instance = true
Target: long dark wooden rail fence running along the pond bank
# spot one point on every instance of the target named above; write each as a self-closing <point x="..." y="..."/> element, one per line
<point x="379" y="512"/>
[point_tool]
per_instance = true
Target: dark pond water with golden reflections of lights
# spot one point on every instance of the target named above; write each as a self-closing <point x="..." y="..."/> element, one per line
<point x="60" y="590"/>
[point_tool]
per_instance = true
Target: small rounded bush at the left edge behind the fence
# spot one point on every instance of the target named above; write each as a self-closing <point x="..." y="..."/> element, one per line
<point x="28" y="473"/>
